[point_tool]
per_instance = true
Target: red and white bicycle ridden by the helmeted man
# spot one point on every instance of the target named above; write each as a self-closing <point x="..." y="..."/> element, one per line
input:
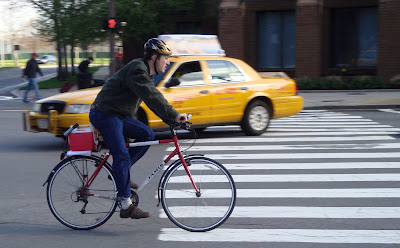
<point x="197" y="193"/>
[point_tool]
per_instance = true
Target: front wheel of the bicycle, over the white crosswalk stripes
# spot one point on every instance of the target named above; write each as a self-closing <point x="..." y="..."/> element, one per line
<point x="198" y="212"/>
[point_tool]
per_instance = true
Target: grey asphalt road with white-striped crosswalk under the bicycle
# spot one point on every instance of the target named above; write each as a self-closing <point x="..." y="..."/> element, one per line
<point x="318" y="179"/>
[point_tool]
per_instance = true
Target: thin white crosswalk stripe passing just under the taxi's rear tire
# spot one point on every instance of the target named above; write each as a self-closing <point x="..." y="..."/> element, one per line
<point x="290" y="139"/>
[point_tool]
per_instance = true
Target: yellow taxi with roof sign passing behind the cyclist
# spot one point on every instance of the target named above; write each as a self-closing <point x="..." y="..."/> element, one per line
<point x="215" y="89"/>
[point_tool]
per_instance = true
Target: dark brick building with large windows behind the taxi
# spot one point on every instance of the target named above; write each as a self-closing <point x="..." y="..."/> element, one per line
<point x="313" y="38"/>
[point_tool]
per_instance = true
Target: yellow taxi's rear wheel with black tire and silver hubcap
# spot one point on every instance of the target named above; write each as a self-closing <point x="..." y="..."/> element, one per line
<point x="259" y="106"/>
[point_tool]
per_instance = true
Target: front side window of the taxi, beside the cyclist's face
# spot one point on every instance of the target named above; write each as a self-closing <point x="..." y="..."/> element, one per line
<point x="189" y="74"/>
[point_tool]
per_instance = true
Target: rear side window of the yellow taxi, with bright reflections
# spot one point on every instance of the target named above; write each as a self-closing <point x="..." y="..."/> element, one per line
<point x="224" y="71"/>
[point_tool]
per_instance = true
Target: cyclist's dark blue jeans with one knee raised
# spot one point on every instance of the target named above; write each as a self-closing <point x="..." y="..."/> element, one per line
<point x="114" y="130"/>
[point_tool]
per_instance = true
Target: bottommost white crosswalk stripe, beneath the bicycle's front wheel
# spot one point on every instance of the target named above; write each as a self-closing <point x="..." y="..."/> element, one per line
<point x="283" y="235"/>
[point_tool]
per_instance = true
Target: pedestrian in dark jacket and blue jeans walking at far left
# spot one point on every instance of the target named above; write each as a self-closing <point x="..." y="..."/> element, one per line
<point x="30" y="72"/>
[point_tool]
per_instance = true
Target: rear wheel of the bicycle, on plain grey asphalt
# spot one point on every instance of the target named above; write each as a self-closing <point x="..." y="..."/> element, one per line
<point x="69" y="205"/>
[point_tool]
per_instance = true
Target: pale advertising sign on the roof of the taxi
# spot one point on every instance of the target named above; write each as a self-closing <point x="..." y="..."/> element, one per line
<point x="193" y="44"/>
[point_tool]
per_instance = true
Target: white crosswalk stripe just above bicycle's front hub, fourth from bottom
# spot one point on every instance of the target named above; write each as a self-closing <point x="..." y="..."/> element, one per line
<point x="378" y="177"/>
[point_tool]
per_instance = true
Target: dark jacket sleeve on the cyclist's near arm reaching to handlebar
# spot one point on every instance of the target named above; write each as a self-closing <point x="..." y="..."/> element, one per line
<point x="143" y="87"/>
